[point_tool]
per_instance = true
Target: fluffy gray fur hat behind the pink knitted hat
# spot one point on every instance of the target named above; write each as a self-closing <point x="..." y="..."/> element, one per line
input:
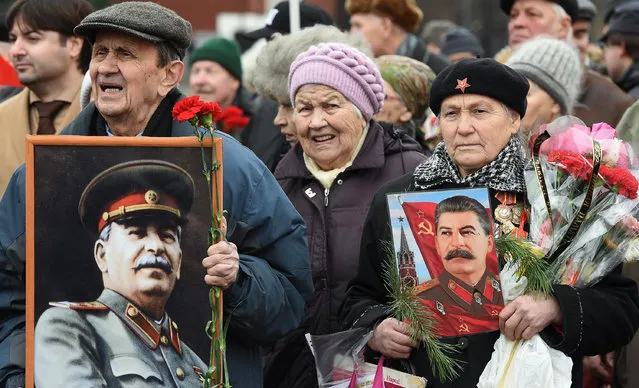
<point x="275" y="59"/>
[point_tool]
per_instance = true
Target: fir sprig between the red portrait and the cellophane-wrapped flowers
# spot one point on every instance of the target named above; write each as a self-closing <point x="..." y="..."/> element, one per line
<point x="531" y="263"/>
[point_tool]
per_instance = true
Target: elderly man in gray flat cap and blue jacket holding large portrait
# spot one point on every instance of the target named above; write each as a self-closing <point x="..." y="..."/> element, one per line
<point x="264" y="268"/>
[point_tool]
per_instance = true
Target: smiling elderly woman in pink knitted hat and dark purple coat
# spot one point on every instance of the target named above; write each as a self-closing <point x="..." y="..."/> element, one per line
<point x="343" y="156"/>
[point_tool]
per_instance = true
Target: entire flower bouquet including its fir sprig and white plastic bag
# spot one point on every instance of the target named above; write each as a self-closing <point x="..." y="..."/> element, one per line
<point x="582" y="189"/>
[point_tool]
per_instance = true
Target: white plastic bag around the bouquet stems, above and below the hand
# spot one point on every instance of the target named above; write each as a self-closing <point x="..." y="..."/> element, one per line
<point x="525" y="363"/>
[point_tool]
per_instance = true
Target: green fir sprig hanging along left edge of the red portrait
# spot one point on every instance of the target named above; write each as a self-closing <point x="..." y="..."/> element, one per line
<point x="406" y="306"/>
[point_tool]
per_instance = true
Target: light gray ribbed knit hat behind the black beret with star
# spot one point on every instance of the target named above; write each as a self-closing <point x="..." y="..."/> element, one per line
<point x="553" y="65"/>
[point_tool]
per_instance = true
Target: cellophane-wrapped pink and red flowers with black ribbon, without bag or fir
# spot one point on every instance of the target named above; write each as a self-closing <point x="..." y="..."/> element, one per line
<point x="582" y="188"/>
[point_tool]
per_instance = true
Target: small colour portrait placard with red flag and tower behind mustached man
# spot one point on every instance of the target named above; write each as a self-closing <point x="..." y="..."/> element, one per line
<point x="444" y="243"/>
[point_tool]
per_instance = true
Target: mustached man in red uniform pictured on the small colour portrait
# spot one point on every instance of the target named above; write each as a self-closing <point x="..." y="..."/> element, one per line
<point x="466" y="298"/>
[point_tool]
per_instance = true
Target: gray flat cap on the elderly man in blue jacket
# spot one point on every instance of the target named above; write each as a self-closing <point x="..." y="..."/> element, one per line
<point x="144" y="19"/>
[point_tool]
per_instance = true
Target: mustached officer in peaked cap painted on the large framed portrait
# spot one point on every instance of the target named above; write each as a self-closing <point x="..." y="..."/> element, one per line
<point x="125" y="338"/>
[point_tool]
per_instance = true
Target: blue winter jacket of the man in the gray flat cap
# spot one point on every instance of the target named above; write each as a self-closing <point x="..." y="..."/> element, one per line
<point x="274" y="281"/>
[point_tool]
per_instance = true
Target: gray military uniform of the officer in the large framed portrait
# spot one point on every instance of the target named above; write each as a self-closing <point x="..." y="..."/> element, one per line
<point x="133" y="348"/>
